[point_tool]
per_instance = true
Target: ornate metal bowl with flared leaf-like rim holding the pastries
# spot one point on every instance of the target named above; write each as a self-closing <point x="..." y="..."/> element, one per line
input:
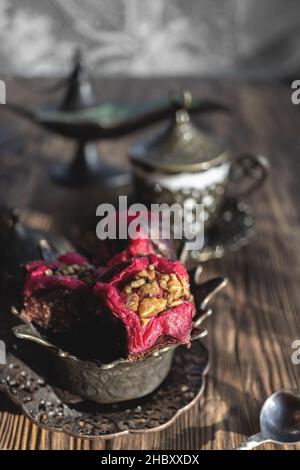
<point x="121" y="380"/>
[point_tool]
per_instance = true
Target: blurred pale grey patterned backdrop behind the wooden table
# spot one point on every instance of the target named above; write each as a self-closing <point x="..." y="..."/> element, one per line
<point x="254" y="39"/>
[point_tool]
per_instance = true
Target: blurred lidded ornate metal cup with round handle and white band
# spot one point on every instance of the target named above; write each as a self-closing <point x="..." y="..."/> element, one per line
<point x="184" y="164"/>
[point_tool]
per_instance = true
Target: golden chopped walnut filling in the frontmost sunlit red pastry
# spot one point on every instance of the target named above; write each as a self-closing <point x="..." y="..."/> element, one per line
<point x="152" y="292"/>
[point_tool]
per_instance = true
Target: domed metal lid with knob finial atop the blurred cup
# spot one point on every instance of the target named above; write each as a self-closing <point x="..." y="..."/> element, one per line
<point x="180" y="146"/>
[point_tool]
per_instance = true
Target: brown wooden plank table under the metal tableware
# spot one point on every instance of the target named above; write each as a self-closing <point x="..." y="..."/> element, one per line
<point x="255" y="321"/>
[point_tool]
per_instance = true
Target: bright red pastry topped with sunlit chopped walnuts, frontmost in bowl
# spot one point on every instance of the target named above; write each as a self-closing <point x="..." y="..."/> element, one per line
<point x="151" y="296"/>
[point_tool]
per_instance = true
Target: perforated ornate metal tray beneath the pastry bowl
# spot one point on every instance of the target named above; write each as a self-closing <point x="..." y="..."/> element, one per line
<point x="54" y="409"/>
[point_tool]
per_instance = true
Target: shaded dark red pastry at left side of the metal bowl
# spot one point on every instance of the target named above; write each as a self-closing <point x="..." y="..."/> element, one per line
<point x="56" y="294"/>
